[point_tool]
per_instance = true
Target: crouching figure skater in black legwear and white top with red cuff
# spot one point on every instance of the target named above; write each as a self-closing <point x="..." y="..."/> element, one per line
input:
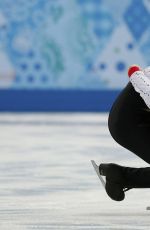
<point x="129" y="125"/>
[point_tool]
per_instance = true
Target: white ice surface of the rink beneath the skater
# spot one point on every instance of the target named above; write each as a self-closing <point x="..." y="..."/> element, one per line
<point x="48" y="182"/>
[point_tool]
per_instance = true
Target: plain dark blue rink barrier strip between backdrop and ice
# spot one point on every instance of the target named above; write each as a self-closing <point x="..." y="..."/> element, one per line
<point x="57" y="100"/>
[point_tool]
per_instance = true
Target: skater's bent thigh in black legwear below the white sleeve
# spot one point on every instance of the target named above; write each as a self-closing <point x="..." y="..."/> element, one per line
<point x="129" y="123"/>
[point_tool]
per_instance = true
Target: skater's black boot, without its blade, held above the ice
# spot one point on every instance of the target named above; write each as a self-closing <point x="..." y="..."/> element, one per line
<point x="115" y="182"/>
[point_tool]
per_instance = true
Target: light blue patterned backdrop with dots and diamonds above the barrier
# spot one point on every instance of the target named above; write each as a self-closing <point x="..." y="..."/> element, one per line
<point x="72" y="44"/>
